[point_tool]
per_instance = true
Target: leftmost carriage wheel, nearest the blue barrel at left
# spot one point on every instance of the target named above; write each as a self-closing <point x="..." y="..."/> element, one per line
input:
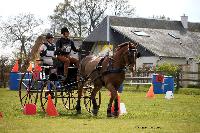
<point x="28" y="89"/>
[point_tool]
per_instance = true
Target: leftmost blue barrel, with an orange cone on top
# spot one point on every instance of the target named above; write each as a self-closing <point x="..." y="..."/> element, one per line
<point x="14" y="78"/>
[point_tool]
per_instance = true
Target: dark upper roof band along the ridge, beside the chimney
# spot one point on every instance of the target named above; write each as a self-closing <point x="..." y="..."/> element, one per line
<point x="152" y="23"/>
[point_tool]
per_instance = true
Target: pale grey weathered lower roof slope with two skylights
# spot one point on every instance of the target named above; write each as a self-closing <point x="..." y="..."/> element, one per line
<point x="161" y="43"/>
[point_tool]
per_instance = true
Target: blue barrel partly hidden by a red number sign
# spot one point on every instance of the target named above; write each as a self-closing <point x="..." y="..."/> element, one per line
<point x="157" y="86"/>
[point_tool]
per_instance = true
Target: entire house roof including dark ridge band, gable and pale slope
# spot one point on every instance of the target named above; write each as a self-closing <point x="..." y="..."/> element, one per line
<point x="160" y="41"/>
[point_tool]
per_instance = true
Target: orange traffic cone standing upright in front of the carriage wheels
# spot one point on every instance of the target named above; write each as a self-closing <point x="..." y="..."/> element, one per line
<point x="51" y="109"/>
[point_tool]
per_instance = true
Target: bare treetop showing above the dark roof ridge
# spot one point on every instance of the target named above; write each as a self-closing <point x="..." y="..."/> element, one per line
<point x="122" y="8"/>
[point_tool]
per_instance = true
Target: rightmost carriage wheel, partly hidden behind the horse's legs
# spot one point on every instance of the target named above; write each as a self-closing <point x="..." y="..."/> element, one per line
<point x="87" y="90"/>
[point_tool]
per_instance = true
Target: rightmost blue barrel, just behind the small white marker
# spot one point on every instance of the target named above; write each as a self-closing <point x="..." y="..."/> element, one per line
<point x="168" y="84"/>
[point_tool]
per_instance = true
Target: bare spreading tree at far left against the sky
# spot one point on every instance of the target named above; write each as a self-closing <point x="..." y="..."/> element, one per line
<point x="18" y="32"/>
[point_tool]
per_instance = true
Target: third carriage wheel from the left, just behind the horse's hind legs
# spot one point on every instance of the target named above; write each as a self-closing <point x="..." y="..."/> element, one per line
<point x="69" y="98"/>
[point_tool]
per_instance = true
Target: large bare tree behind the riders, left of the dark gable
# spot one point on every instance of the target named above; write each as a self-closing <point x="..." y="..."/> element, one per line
<point x="80" y="16"/>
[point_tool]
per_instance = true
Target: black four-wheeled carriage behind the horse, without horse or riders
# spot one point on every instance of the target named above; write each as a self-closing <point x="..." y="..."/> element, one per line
<point x="36" y="85"/>
